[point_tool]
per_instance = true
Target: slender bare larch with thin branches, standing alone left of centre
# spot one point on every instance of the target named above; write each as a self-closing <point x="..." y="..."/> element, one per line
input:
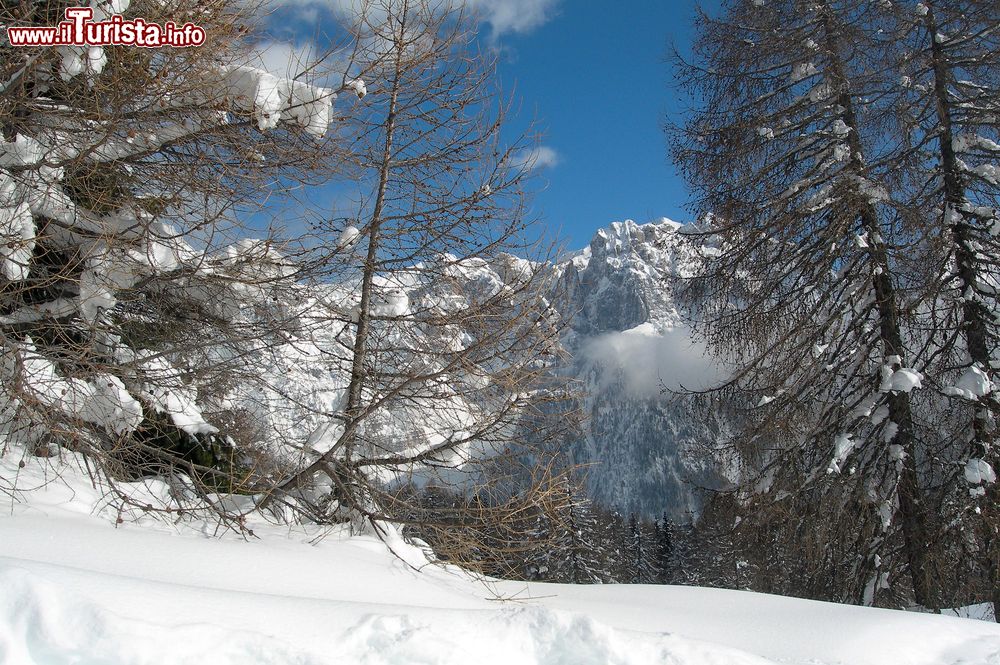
<point x="445" y="322"/>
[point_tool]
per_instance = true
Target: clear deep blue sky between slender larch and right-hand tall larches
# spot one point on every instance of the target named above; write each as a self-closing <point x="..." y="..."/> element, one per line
<point x="596" y="76"/>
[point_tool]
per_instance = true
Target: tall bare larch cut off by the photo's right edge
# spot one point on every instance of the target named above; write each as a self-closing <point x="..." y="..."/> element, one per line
<point x="948" y="102"/>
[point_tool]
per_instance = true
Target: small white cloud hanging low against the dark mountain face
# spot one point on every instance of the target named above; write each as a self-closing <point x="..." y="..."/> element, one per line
<point x="650" y="362"/>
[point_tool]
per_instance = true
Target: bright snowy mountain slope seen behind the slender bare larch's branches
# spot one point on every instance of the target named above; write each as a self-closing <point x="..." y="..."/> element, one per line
<point x="295" y="387"/>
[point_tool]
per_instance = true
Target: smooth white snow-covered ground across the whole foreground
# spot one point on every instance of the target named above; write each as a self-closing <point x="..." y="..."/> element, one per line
<point x="77" y="588"/>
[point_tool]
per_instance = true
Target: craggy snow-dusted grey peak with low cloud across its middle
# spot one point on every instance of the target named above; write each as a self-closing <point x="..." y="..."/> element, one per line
<point x="628" y="342"/>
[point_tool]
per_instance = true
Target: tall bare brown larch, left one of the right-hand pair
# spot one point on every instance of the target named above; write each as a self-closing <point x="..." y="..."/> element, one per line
<point x="806" y="288"/>
